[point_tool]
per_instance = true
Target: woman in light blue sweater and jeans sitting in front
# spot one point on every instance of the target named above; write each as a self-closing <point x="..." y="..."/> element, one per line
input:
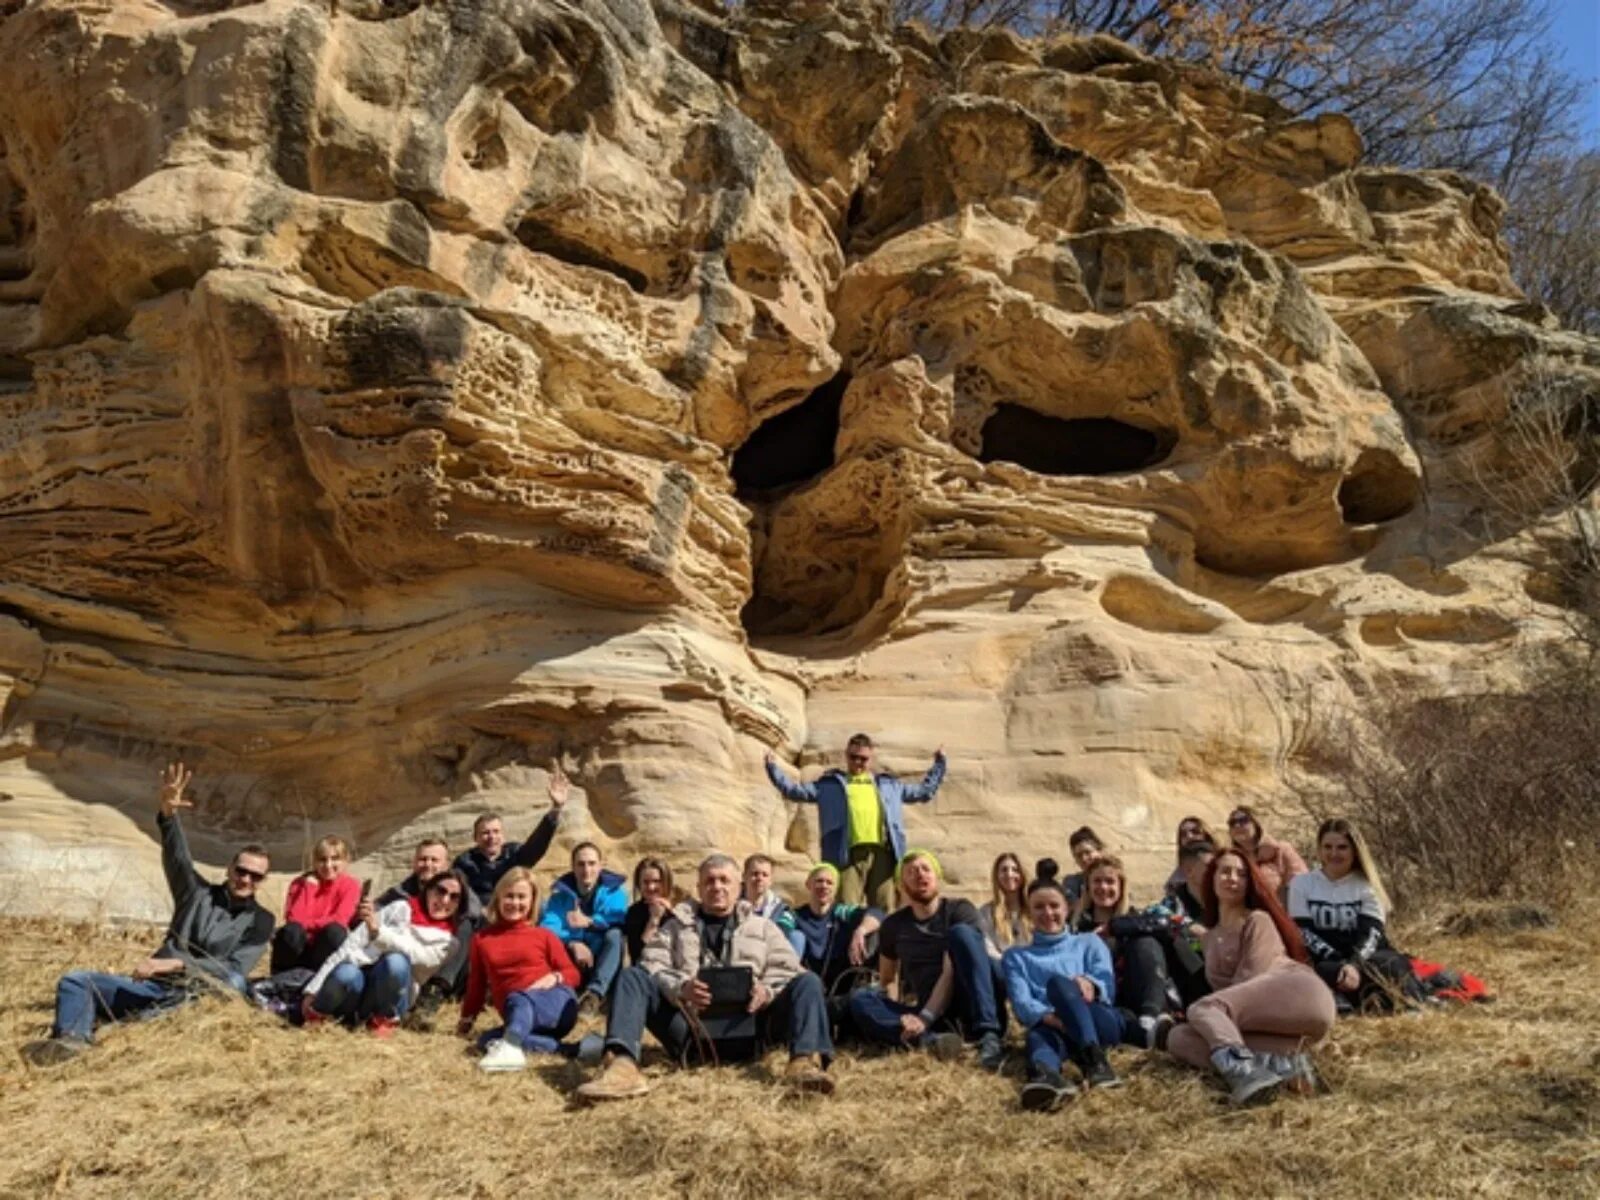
<point x="1063" y="990"/>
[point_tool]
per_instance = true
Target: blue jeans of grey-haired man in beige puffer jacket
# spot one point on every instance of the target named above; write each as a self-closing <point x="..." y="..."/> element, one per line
<point x="798" y="1017"/>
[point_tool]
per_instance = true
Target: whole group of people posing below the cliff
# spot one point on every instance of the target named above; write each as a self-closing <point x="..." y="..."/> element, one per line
<point x="1241" y="967"/>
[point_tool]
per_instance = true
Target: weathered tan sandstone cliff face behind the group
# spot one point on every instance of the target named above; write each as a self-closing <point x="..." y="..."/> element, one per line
<point x="401" y="396"/>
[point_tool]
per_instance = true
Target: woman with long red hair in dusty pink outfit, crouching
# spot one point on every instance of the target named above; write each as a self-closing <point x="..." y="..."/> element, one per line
<point x="1266" y="1004"/>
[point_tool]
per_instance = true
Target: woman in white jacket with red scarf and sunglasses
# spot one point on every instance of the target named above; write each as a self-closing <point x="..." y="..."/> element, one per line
<point x="391" y="953"/>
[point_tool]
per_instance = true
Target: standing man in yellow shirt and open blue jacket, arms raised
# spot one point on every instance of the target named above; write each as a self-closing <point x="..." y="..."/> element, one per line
<point x="863" y="818"/>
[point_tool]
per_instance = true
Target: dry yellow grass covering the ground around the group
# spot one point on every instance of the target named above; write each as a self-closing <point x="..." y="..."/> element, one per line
<point x="1494" y="1102"/>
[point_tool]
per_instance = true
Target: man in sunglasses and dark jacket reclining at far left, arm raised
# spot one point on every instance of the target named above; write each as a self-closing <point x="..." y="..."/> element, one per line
<point x="218" y="934"/>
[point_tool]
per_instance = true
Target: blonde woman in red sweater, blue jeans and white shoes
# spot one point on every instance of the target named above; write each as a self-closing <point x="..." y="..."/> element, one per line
<point x="526" y="972"/>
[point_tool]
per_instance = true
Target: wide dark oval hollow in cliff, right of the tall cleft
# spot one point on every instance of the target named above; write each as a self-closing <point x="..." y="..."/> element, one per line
<point x="1086" y="446"/>
